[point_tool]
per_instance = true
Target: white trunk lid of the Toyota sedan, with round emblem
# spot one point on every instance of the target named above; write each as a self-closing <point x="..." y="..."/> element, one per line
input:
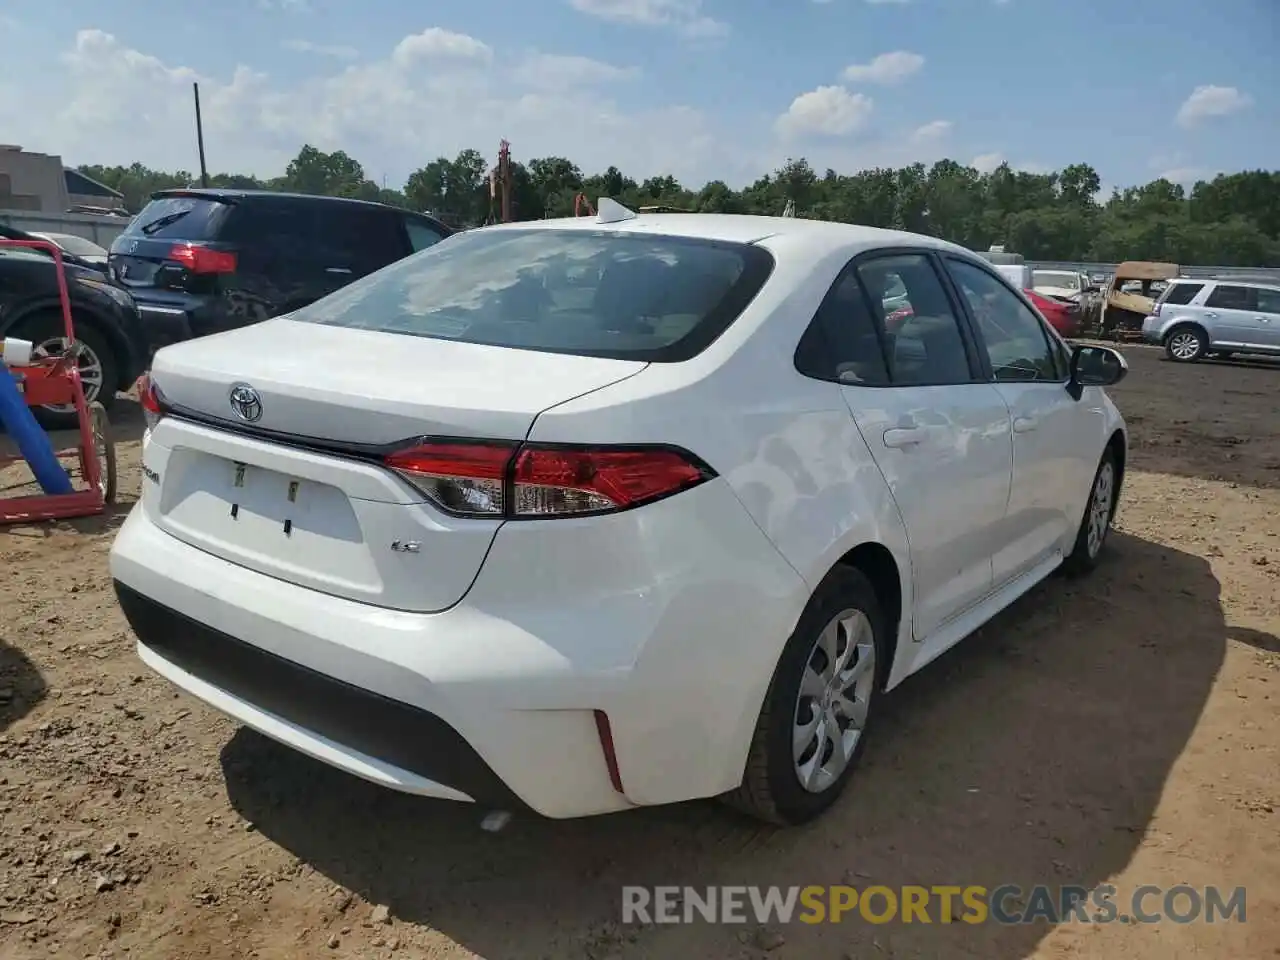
<point x="304" y="491"/>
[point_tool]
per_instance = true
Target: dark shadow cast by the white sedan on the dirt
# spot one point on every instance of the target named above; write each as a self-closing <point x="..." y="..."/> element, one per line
<point x="1034" y="753"/>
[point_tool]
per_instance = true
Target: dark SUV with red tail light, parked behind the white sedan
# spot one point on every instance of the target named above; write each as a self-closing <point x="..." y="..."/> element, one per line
<point x="199" y="262"/>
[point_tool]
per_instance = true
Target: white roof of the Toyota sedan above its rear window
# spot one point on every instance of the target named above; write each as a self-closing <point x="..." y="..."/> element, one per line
<point x="744" y="228"/>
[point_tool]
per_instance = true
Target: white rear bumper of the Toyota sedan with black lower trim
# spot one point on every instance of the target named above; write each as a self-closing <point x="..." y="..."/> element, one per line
<point x="495" y="701"/>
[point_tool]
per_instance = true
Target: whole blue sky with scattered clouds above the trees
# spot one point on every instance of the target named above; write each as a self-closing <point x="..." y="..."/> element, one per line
<point x="701" y="89"/>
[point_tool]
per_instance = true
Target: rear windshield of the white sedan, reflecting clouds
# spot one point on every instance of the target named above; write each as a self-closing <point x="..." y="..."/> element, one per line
<point x="592" y="294"/>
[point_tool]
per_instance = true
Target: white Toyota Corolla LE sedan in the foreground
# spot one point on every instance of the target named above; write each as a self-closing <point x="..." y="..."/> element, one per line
<point x="586" y="515"/>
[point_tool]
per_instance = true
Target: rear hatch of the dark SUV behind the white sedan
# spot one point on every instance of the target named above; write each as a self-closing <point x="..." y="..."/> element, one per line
<point x="172" y="246"/>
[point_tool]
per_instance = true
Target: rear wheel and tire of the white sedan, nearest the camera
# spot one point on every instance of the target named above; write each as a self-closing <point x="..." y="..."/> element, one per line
<point x="813" y="725"/>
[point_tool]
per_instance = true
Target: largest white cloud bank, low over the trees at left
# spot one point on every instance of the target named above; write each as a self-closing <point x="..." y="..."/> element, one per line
<point x="435" y="94"/>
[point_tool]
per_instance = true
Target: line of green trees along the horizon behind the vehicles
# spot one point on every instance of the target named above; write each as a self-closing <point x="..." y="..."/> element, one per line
<point x="1232" y="221"/>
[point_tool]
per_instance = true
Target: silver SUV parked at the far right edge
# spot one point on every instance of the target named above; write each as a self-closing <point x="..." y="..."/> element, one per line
<point x="1222" y="317"/>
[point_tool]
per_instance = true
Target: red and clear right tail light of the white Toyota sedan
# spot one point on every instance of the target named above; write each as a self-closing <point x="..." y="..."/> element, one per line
<point x="529" y="482"/>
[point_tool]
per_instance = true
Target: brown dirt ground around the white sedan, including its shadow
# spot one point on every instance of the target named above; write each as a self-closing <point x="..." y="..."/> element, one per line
<point x="1122" y="729"/>
